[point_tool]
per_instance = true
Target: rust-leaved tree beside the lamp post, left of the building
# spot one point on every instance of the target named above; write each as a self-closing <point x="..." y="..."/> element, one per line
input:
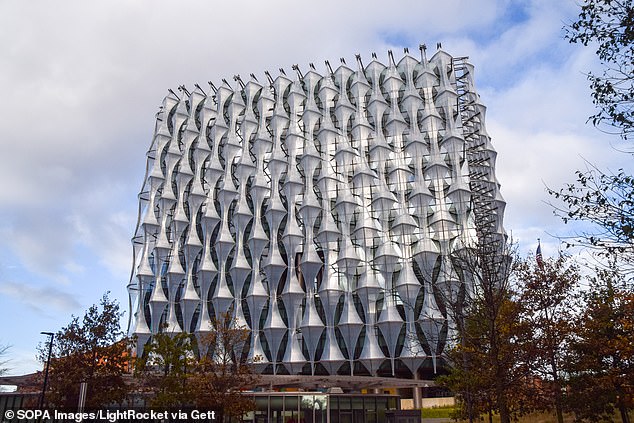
<point x="92" y="350"/>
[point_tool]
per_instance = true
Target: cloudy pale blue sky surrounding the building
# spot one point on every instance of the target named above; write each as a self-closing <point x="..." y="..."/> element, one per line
<point x="81" y="83"/>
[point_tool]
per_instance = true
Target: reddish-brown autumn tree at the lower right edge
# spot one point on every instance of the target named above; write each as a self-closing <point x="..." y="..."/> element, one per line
<point x="601" y="361"/>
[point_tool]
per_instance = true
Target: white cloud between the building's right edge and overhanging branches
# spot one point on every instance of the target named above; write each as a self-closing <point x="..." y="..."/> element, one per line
<point x="539" y="131"/>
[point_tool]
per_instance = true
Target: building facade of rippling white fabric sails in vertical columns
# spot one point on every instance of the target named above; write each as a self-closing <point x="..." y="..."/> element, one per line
<point x="320" y="209"/>
